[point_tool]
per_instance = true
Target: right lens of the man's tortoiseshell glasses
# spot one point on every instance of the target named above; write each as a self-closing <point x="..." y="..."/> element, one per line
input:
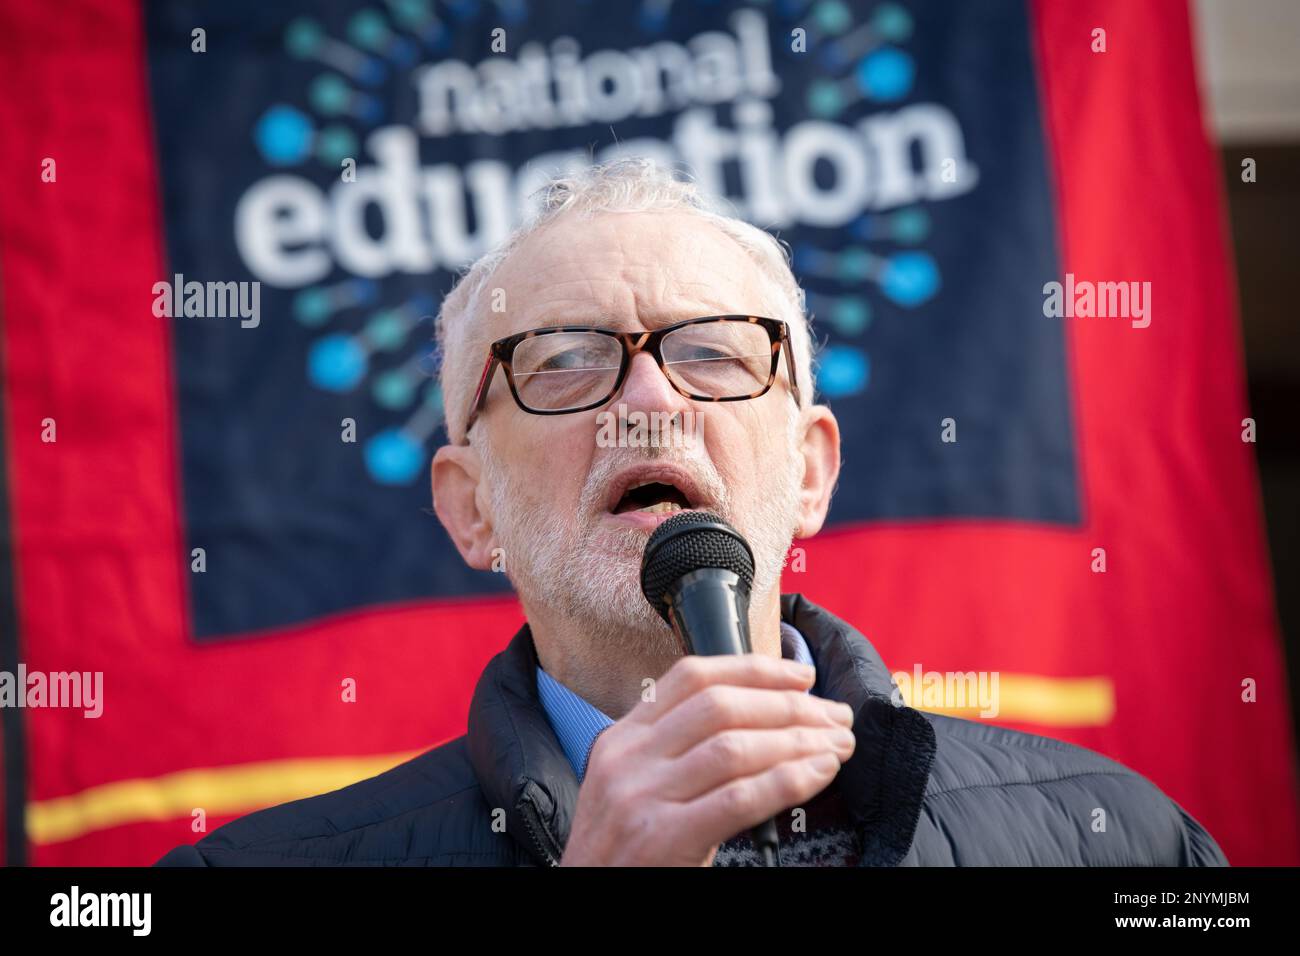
<point x="730" y="358"/>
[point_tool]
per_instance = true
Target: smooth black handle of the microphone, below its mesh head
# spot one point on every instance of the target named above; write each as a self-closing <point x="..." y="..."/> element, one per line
<point x="710" y="615"/>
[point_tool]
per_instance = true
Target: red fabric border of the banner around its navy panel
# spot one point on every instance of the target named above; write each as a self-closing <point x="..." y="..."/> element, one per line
<point x="1168" y="661"/>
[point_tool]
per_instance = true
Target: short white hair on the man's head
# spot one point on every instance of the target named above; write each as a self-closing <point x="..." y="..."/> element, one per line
<point x="625" y="185"/>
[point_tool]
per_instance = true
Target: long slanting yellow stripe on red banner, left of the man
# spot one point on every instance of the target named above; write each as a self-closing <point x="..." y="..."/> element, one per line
<point x="219" y="791"/>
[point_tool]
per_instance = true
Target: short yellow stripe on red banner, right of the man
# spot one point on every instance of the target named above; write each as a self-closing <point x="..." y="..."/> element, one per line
<point x="1021" y="698"/>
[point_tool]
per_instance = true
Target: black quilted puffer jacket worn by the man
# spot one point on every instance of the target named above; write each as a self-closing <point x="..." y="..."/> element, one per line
<point x="925" y="790"/>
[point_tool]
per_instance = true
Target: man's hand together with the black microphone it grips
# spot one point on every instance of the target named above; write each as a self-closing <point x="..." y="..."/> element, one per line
<point x="731" y="739"/>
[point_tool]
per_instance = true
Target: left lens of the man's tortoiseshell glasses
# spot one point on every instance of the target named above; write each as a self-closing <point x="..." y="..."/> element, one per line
<point x="566" y="370"/>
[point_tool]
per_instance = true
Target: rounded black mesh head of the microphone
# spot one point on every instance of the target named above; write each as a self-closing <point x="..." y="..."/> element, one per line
<point x="687" y="543"/>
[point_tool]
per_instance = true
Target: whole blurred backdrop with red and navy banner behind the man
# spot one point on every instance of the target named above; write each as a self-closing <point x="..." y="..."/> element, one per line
<point x="222" y="517"/>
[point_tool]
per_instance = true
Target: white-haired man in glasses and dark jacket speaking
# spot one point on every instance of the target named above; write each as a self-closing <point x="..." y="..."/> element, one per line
<point x="595" y="738"/>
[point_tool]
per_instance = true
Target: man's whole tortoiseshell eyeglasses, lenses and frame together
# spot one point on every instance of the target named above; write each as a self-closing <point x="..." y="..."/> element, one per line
<point x="569" y="369"/>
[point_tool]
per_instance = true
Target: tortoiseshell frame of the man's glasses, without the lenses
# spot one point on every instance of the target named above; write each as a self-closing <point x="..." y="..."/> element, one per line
<point x="502" y="353"/>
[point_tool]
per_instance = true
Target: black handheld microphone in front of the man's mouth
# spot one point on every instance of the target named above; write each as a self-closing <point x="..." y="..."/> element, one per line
<point x="697" y="573"/>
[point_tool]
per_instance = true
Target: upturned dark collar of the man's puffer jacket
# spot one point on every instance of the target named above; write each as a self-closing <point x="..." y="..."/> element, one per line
<point x="522" y="768"/>
